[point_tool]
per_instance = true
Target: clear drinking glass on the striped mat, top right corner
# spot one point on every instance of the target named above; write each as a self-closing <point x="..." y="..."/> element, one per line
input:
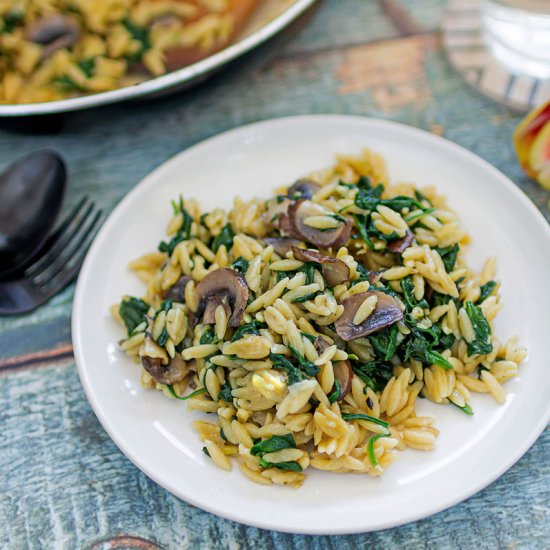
<point x="518" y="33"/>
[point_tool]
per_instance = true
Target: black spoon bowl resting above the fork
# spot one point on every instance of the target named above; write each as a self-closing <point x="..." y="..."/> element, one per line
<point x="31" y="193"/>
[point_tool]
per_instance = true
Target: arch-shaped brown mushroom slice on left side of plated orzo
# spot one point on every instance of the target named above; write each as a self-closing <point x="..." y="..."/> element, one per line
<point x="224" y="283"/>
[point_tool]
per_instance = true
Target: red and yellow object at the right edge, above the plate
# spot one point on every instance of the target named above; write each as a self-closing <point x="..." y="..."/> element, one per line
<point x="532" y="143"/>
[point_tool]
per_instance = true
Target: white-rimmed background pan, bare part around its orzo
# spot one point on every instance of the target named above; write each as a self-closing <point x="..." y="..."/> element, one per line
<point x="271" y="17"/>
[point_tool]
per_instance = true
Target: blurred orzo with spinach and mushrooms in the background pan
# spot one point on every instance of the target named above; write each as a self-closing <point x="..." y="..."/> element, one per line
<point x="54" y="49"/>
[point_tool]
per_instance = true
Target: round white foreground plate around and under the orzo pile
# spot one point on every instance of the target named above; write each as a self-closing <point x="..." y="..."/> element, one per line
<point x="155" y="432"/>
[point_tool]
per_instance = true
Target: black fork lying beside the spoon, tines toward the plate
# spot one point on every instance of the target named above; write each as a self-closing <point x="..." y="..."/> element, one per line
<point x="58" y="264"/>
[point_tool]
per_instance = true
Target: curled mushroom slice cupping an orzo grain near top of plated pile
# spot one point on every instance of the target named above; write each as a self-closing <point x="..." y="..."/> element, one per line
<point x="300" y="210"/>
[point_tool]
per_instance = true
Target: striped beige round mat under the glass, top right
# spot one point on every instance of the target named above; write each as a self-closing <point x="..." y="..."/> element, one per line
<point x="471" y="57"/>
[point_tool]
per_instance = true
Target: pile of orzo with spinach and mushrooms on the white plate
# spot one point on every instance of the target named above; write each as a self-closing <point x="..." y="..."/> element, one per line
<point x="312" y="322"/>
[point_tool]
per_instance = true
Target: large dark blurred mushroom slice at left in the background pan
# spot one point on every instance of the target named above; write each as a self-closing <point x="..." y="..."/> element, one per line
<point x="54" y="33"/>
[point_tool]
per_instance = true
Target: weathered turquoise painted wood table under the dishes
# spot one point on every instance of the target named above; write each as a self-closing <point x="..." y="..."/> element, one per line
<point x="63" y="482"/>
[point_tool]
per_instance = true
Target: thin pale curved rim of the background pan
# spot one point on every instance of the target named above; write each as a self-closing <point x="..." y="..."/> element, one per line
<point x="168" y="80"/>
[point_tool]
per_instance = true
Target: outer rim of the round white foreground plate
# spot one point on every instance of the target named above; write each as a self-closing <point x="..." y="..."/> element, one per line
<point x="149" y="180"/>
